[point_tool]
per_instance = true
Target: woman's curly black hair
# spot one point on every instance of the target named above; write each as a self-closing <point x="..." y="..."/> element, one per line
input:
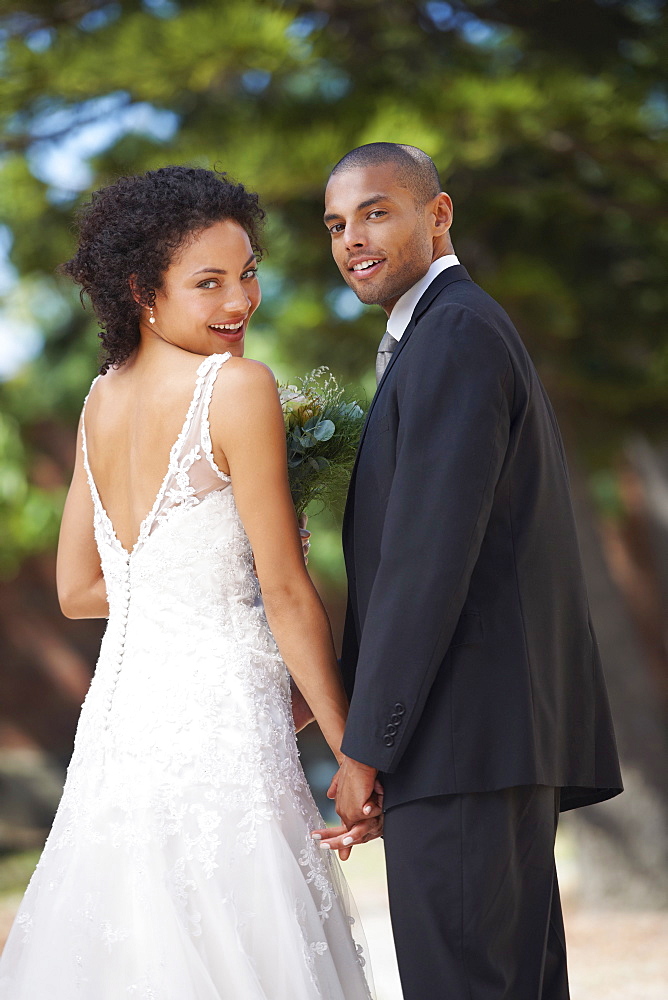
<point x="134" y="227"/>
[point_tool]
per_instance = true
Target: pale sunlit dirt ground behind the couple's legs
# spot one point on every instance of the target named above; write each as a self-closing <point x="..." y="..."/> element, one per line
<point x="612" y="955"/>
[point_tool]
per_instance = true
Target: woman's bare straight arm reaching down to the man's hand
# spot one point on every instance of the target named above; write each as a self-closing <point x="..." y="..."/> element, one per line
<point x="247" y="425"/>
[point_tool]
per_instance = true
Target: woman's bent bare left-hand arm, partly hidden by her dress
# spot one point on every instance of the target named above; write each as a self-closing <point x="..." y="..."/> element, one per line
<point x="79" y="580"/>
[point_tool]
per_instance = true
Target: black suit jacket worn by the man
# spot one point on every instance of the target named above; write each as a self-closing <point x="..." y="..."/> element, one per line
<point x="469" y="656"/>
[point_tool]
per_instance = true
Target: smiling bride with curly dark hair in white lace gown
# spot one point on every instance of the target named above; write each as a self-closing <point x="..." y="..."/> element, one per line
<point x="180" y="865"/>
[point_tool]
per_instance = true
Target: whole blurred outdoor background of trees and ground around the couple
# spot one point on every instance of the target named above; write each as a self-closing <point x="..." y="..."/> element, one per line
<point x="549" y="123"/>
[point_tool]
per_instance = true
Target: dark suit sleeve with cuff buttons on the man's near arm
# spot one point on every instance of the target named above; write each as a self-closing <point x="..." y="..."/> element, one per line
<point x="454" y="393"/>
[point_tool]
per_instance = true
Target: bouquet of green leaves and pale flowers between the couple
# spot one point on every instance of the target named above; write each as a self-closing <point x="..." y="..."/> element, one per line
<point x="322" y="426"/>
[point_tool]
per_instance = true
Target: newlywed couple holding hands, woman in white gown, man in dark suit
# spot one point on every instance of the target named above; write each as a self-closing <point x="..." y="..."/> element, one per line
<point x="469" y="707"/>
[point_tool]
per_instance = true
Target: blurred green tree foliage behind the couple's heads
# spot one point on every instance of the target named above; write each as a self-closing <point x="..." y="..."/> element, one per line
<point x="548" y="122"/>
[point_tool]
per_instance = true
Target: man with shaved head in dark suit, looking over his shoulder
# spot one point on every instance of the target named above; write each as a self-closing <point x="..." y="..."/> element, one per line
<point x="475" y="685"/>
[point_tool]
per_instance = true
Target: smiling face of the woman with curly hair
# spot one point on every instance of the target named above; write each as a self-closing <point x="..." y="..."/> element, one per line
<point x="209" y="293"/>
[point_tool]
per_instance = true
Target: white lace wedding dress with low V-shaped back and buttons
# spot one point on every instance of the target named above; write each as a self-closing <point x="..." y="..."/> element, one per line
<point x="179" y="865"/>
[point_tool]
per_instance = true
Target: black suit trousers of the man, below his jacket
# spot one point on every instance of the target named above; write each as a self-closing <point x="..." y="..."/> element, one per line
<point x="474" y="898"/>
